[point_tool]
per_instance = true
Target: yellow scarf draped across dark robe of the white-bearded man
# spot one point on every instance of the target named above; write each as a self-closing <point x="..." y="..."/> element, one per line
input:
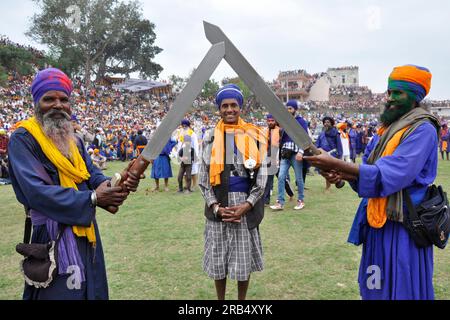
<point x="70" y="173"/>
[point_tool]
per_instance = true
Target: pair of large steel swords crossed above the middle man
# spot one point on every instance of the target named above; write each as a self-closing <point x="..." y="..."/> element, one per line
<point x="222" y="48"/>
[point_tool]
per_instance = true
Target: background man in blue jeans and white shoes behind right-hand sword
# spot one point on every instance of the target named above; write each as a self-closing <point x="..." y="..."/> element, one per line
<point x="291" y="155"/>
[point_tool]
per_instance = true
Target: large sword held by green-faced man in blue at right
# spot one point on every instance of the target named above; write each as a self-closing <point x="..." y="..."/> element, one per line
<point x="258" y="86"/>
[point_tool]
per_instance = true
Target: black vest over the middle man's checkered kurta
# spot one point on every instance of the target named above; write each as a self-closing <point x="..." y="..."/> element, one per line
<point x="254" y="216"/>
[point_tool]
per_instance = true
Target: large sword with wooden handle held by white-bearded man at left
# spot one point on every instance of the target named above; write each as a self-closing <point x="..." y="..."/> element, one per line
<point x="178" y="110"/>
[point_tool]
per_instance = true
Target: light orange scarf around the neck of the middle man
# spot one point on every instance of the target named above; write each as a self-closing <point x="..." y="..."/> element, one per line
<point x="245" y="137"/>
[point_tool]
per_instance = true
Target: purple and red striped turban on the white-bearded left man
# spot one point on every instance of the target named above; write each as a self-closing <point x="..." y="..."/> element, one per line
<point x="48" y="80"/>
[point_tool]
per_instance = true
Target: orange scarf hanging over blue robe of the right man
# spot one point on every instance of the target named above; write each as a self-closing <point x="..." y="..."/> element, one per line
<point x="376" y="207"/>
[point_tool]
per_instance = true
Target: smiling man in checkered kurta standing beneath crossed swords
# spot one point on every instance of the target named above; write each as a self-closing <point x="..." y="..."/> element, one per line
<point x="232" y="178"/>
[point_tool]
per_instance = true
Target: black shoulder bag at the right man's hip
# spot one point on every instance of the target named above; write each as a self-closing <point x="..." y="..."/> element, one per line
<point x="429" y="222"/>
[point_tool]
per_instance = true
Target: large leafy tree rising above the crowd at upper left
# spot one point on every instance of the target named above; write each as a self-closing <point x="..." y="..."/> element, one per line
<point x="97" y="36"/>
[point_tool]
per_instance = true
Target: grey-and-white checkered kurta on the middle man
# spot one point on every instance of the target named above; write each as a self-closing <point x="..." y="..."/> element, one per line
<point x="231" y="248"/>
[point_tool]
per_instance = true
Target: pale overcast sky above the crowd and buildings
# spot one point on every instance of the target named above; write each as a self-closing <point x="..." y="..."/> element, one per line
<point x="287" y="34"/>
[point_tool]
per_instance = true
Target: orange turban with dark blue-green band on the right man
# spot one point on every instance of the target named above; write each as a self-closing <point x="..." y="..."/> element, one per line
<point x="414" y="80"/>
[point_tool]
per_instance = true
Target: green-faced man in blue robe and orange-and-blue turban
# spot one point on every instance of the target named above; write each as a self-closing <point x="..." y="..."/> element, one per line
<point x="402" y="155"/>
